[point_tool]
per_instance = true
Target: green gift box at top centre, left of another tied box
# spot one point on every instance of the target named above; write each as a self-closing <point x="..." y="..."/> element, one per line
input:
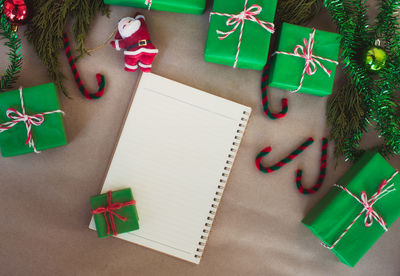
<point x="255" y="29"/>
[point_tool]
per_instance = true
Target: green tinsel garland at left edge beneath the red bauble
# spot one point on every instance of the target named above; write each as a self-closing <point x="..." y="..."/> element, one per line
<point x="10" y="74"/>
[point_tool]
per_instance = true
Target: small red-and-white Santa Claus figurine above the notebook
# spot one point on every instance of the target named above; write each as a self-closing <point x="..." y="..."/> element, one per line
<point x="134" y="38"/>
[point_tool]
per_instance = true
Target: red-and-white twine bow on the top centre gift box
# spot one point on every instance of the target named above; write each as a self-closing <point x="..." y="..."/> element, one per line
<point x="239" y="19"/>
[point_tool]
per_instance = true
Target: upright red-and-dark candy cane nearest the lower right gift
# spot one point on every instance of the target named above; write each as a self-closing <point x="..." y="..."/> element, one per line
<point x="322" y="172"/>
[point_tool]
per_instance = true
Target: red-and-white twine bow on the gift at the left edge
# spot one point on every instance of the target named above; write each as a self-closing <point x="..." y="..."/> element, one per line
<point x="29" y="121"/>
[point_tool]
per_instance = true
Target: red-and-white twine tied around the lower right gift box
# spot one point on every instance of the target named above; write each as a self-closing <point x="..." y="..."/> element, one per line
<point x="370" y="213"/>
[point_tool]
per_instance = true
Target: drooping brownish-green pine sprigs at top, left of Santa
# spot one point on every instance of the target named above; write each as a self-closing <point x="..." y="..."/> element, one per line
<point x="45" y="30"/>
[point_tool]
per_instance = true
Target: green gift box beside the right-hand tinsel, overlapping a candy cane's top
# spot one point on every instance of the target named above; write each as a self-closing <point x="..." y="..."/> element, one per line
<point x="287" y="70"/>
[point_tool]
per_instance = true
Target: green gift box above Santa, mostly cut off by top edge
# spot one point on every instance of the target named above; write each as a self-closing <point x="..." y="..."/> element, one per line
<point x="187" y="6"/>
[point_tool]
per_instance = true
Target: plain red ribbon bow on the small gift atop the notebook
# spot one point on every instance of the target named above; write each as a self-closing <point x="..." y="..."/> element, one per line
<point x="110" y="208"/>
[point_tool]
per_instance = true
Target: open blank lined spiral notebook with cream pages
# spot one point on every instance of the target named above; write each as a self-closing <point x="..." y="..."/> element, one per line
<point x="175" y="152"/>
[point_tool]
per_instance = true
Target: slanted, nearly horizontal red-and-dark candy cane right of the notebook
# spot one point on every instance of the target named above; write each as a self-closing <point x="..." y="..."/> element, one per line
<point x="284" y="161"/>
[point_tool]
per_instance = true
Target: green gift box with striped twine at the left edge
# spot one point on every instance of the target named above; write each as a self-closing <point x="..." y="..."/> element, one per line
<point x="41" y="104"/>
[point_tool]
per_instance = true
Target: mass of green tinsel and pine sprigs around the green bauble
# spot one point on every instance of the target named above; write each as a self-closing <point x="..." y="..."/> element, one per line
<point x="366" y="99"/>
